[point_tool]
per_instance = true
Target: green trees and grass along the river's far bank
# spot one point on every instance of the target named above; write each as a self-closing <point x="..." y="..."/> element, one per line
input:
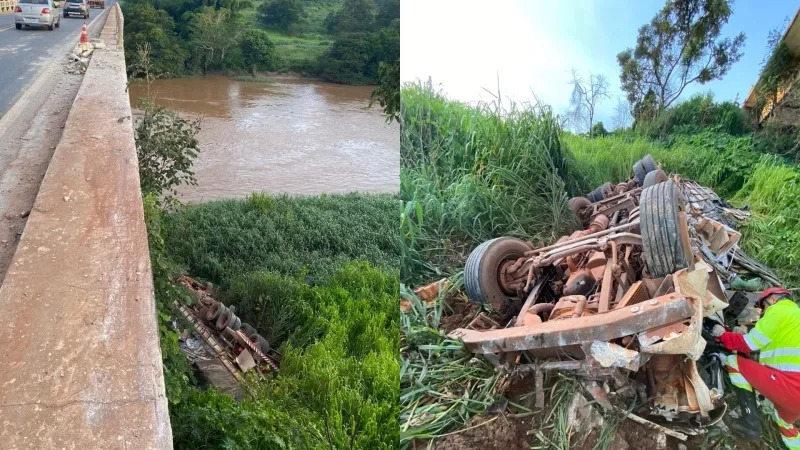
<point x="343" y="41"/>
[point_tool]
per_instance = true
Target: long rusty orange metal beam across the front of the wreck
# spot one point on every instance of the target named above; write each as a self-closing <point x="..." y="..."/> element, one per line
<point x="556" y="334"/>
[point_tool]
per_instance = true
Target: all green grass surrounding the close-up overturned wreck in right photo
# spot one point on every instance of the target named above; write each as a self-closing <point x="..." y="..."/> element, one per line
<point x="474" y="173"/>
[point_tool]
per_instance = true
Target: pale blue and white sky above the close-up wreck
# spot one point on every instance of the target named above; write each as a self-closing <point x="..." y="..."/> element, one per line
<point x="464" y="45"/>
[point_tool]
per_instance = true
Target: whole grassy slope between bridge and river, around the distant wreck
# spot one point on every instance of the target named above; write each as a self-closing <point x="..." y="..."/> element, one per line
<point x="318" y="278"/>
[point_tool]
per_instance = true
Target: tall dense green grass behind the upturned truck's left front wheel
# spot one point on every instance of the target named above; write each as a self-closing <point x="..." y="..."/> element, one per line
<point x="472" y="173"/>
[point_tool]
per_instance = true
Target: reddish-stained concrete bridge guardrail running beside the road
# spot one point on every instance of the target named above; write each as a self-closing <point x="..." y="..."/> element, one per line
<point x="81" y="363"/>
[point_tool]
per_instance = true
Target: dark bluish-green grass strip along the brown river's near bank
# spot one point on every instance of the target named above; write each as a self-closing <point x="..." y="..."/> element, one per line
<point x="297" y="236"/>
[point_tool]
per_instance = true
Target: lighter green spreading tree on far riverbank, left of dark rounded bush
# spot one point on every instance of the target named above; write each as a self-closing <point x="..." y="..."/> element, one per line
<point x="213" y="34"/>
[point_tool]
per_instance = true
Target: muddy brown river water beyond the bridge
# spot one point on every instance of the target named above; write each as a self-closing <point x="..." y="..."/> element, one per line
<point x="288" y="136"/>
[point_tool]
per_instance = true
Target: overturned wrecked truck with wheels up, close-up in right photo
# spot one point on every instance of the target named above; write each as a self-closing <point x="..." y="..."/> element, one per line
<point x="626" y="303"/>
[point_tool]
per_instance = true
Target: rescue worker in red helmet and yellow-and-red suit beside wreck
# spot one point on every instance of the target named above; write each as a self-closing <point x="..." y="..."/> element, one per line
<point x="777" y="377"/>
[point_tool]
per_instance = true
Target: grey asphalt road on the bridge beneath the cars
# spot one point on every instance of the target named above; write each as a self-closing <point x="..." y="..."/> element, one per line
<point x="23" y="52"/>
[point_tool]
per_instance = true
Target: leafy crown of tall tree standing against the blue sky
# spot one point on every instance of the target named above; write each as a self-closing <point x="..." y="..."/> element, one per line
<point x="681" y="45"/>
